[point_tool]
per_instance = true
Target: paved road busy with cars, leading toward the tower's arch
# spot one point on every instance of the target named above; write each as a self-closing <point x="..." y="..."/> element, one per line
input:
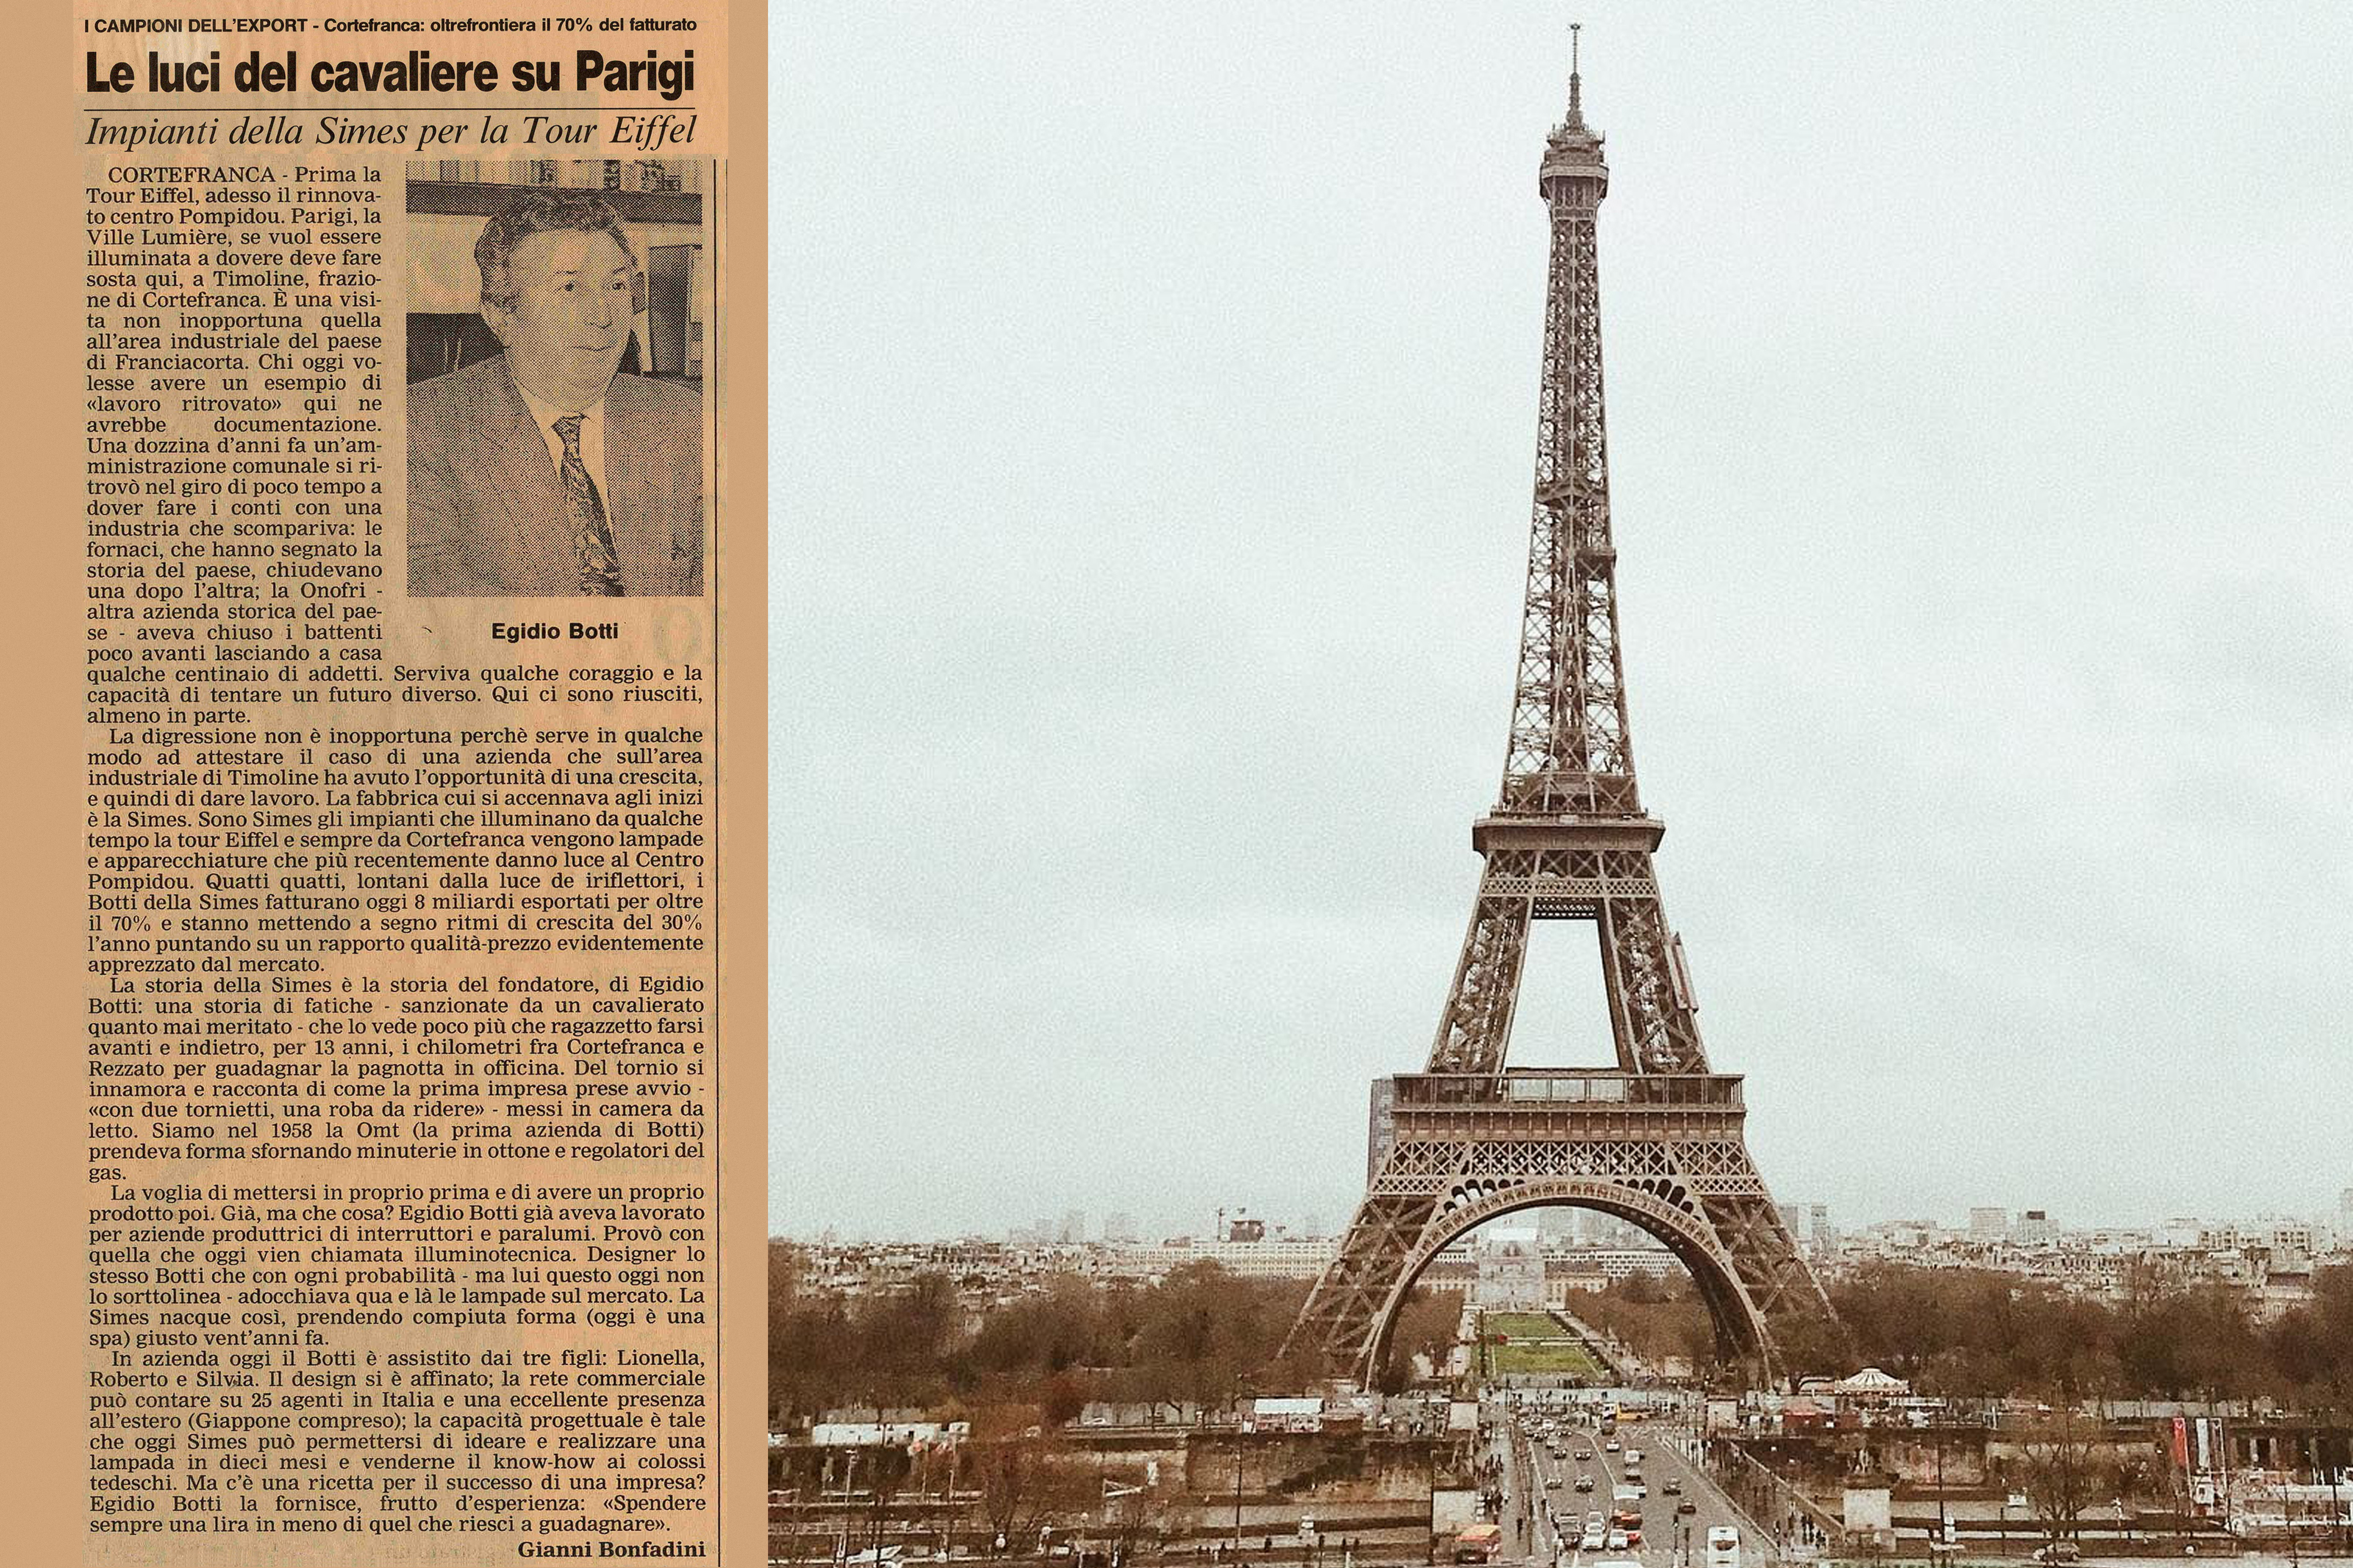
<point x="1545" y="1513"/>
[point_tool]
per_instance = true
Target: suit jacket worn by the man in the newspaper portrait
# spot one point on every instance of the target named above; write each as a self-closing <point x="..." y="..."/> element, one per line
<point x="488" y="509"/>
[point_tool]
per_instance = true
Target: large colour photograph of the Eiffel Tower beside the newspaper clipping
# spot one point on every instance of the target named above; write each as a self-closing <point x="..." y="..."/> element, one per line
<point x="1258" y="1080"/>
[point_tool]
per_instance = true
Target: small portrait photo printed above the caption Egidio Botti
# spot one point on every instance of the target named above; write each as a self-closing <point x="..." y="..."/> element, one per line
<point x="556" y="377"/>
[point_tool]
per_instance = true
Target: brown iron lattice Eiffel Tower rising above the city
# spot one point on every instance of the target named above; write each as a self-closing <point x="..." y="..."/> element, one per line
<point x="1655" y="1139"/>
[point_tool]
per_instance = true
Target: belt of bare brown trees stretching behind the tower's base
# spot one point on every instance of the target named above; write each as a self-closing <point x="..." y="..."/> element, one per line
<point x="1206" y="1336"/>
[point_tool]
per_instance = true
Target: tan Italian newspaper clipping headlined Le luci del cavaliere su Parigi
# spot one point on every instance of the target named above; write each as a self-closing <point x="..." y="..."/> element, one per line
<point x="408" y="540"/>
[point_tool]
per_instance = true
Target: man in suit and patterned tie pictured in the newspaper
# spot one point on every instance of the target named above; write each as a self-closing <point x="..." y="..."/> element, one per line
<point x="542" y="474"/>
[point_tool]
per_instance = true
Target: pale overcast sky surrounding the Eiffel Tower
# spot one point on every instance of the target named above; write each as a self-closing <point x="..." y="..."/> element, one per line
<point x="1154" y="422"/>
